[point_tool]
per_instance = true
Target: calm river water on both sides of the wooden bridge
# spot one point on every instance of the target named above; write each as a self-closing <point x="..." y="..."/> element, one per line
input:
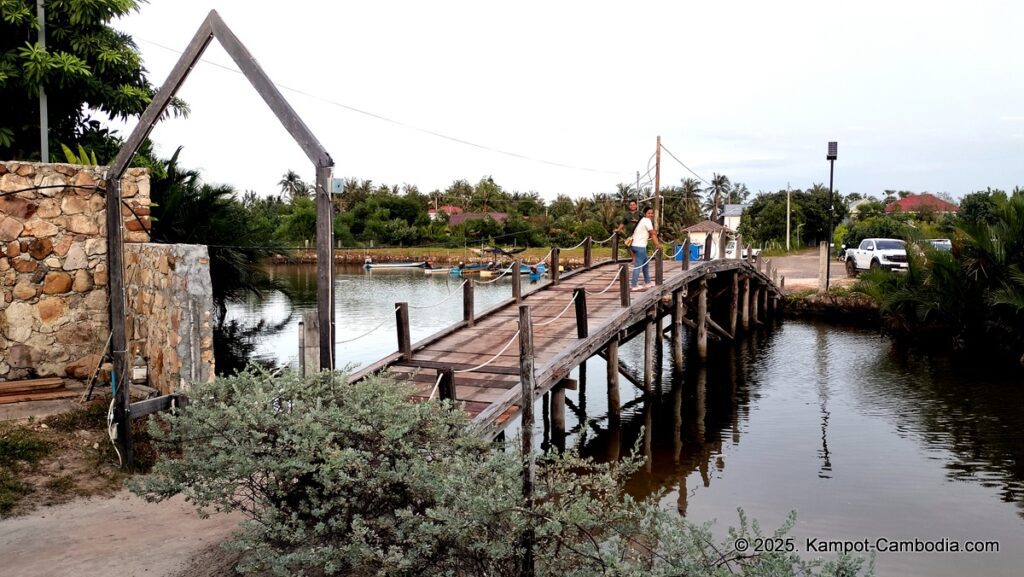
<point x="864" y="441"/>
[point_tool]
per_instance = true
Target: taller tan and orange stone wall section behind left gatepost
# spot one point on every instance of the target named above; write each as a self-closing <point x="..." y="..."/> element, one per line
<point x="54" y="299"/>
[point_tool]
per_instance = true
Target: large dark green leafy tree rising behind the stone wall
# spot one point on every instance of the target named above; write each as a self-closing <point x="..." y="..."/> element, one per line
<point x="88" y="67"/>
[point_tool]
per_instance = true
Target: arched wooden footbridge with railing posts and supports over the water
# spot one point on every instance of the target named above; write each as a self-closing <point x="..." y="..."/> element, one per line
<point x="529" y="345"/>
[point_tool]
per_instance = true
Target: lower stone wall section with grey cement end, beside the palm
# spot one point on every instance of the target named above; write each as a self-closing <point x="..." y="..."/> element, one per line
<point x="170" y="313"/>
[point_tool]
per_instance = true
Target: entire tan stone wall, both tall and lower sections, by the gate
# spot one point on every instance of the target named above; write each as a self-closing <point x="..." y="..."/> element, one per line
<point x="55" y="315"/>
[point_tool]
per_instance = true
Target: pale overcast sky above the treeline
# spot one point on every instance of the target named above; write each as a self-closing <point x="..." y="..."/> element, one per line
<point x="920" y="96"/>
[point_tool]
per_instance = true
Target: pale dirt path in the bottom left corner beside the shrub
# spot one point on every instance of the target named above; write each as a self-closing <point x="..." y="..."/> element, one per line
<point x="114" y="538"/>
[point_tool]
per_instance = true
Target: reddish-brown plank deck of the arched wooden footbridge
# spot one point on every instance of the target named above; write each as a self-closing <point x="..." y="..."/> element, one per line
<point x="486" y="356"/>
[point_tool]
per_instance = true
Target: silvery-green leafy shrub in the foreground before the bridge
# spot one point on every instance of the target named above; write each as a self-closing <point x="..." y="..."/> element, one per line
<point x="340" y="479"/>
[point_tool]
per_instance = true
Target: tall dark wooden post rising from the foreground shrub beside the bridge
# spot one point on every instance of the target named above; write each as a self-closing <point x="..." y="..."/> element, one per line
<point x="528" y="381"/>
